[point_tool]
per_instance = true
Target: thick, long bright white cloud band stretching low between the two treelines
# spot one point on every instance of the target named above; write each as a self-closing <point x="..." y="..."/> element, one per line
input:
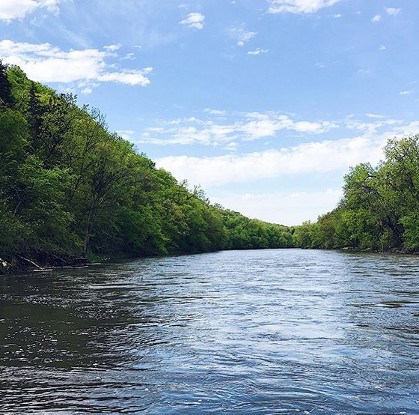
<point x="314" y="157"/>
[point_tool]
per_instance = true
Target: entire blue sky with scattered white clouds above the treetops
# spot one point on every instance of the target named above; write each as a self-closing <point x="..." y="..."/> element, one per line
<point x="264" y="103"/>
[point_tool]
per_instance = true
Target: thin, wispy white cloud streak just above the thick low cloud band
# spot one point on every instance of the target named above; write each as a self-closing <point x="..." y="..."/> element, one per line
<point x="246" y="127"/>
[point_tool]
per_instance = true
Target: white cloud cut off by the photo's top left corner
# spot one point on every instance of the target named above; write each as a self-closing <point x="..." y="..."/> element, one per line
<point x="18" y="9"/>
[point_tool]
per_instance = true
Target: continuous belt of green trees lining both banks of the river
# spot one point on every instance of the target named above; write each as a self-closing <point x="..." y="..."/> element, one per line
<point x="71" y="192"/>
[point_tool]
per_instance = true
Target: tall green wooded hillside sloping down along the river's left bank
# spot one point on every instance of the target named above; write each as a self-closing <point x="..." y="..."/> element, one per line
<point x="70" y="188"/>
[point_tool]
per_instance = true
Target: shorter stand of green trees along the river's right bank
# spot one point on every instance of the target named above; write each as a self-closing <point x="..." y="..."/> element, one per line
<point x="379" y="210"/>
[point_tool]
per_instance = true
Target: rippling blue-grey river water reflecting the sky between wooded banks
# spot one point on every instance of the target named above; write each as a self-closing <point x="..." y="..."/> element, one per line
<point x="239" y="332"/>
